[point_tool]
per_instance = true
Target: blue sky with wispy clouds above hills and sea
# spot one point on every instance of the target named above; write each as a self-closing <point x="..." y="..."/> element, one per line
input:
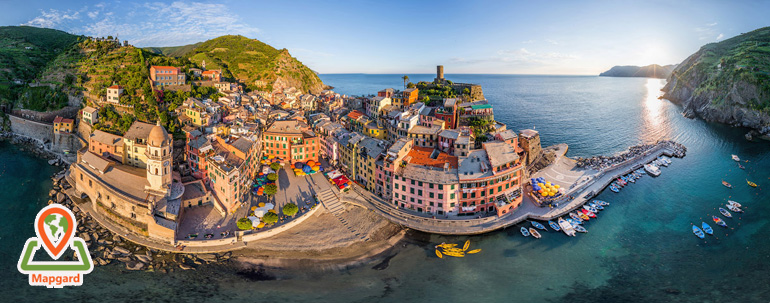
<point x="501" y="37"/>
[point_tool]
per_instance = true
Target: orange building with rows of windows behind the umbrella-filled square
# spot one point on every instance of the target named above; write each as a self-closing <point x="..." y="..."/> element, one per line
<point x="292" y="141"/>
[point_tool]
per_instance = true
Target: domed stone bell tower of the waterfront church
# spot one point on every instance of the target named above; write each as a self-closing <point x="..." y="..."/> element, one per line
<point x="159" y="148"/>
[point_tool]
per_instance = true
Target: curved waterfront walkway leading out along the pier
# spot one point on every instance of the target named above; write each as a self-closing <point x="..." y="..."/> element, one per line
<point x="590" y="183"/>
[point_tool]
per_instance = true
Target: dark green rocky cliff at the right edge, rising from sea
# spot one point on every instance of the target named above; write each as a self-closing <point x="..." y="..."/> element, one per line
<point x="726" y="82"/>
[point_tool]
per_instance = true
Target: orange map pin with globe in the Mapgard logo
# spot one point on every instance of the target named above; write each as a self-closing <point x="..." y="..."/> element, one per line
<point x="65" y="221"/>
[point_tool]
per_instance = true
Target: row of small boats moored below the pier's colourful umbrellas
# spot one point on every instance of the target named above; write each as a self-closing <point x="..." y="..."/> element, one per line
<point x="570" y="225"/>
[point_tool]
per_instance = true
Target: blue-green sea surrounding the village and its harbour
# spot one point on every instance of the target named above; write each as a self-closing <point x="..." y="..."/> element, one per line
<point x="640" y="249"/>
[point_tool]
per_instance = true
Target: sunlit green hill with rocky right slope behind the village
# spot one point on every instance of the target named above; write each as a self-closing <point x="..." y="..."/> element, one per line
<point x="255" y="64"/>
